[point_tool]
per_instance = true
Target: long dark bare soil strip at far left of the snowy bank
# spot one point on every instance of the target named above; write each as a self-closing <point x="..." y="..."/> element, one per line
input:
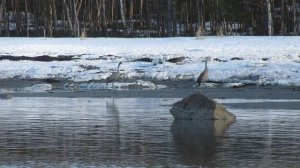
<point x="43" y="58"/>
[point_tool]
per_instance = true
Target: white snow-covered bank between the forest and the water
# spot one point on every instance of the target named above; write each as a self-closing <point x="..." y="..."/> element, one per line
<point x="256" y="60"/>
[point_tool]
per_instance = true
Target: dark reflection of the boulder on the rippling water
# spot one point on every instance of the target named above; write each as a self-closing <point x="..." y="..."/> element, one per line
<point x="196" y="141"/>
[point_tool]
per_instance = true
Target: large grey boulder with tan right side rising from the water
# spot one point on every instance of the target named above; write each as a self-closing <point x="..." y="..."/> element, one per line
<point x="200" y="107"/>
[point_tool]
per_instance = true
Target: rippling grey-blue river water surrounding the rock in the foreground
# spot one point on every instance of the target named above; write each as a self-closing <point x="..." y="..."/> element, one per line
<point x="140" y="132"/>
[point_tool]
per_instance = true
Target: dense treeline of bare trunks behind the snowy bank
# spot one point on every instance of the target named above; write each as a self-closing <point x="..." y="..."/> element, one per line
<point x="148" y="18"/>
